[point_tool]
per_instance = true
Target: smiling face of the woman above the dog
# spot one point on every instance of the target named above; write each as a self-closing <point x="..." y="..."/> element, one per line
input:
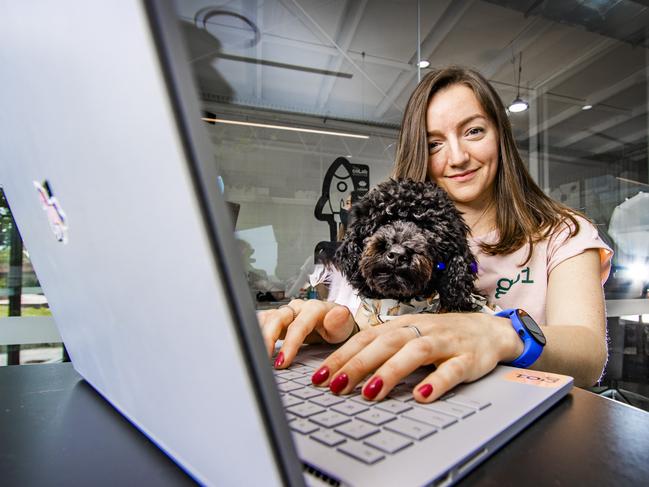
<point x="462" y="146"/>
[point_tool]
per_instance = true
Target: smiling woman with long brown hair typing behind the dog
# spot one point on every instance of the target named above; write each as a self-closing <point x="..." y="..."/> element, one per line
<point x="533" y="253"/>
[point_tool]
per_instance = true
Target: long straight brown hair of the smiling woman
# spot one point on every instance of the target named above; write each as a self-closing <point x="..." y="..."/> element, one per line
<point x="524" y="214"/>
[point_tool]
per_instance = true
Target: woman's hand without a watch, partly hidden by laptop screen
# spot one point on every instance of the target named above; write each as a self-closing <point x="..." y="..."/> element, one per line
<point x="303" y="322"/>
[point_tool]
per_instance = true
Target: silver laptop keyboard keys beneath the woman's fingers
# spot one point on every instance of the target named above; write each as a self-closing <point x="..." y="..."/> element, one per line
<point x="367" y="431"/>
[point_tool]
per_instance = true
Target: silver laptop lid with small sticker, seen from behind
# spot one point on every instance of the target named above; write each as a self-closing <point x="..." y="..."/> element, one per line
<point x="103" y="164"/>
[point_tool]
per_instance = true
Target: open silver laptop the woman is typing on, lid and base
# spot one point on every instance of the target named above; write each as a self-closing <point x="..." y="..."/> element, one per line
<point x="107" y="168"/>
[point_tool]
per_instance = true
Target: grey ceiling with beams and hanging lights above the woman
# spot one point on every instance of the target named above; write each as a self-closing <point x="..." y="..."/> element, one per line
<point x="355" y="60"/>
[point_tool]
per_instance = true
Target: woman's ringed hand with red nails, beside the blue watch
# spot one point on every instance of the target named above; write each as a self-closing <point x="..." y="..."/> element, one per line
<point x="463" y="346"/>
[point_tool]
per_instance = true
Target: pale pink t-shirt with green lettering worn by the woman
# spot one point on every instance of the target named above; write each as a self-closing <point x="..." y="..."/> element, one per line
<point x="509" y="284"/>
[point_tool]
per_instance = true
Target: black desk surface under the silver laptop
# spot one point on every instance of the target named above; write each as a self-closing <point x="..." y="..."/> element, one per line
<point x="56" y="430"/>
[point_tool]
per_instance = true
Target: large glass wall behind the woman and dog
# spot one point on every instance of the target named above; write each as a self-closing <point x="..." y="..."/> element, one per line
<point x="349" y="67"/>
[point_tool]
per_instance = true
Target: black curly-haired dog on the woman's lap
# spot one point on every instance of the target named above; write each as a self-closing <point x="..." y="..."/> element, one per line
<point x="407" y="241"/>
